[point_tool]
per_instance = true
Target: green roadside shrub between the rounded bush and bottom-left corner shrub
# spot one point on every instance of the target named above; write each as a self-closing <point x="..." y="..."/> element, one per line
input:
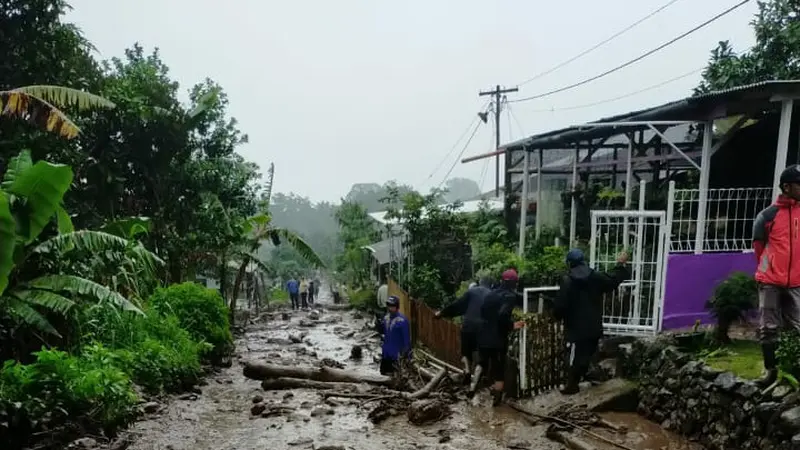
<point x="153" y="349"/>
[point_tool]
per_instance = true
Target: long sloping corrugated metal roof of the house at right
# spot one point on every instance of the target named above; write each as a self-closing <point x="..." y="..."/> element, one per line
<point x="753" y="98"/>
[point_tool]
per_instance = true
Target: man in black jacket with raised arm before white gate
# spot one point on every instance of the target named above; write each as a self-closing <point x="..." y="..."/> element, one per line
<point x="580" y="304"/>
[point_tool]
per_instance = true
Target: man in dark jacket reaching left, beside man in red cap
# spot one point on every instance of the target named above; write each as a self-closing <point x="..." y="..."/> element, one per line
<point x="469" y="306"/>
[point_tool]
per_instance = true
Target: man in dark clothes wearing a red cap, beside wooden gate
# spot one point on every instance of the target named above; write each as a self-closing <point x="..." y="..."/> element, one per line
<point x="498" y="322"/>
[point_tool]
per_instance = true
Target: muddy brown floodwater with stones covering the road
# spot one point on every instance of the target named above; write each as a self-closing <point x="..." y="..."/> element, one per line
<point x="220" y="417"/>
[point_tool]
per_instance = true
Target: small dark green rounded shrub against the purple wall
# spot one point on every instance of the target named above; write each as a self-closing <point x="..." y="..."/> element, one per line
<point x="731" y="301"/>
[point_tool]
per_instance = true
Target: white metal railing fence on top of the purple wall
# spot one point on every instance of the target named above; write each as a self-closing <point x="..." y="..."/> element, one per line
<point x="726" y="226"/>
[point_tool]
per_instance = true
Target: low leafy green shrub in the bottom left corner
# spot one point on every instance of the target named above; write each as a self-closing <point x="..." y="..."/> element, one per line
<point x="58" y="386"/>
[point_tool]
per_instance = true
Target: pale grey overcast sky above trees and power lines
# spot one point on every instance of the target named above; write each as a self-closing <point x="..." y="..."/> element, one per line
<point x="346" y="91"/>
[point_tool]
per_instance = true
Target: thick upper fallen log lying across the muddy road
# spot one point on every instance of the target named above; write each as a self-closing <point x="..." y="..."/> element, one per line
<point x="260" y="371"/>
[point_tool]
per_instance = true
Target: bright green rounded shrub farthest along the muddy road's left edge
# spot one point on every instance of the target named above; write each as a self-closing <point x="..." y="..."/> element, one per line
<point x="201" y="312"/>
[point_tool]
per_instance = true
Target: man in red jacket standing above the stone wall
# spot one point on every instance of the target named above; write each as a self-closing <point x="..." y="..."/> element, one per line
<point x="776" y="242"/>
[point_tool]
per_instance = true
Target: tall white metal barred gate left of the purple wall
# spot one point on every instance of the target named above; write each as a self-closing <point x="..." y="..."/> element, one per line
<point x="635" y="308"/>
